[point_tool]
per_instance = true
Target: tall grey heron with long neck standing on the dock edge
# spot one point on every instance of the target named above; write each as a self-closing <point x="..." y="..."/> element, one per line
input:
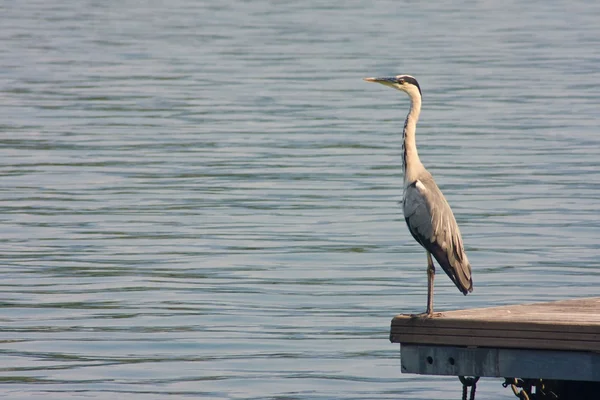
<point x="426" y="211"/>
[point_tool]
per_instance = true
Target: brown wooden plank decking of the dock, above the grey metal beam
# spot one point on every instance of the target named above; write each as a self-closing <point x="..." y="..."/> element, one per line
<point x="571" y="325"/>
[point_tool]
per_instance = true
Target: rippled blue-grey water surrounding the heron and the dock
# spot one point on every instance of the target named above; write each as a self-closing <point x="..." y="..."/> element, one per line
<point x="200" y="199"/>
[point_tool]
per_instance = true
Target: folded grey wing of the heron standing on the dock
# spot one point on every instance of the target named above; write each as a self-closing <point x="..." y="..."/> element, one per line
<point x="431" y="222"/>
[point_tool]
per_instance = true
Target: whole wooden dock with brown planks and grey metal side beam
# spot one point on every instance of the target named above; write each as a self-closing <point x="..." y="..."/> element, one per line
<point x="555" y="341"/>
